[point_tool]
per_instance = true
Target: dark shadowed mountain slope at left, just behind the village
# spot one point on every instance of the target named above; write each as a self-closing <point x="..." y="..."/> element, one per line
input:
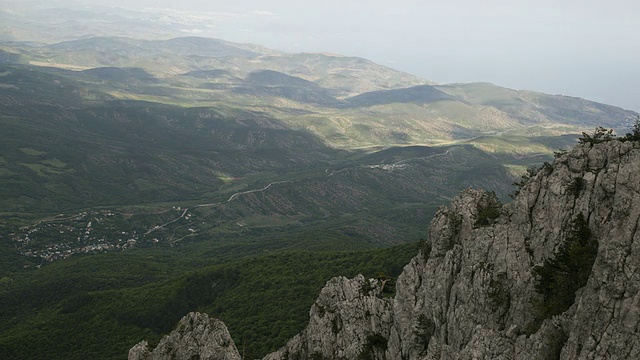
<point x="119" y="152"/>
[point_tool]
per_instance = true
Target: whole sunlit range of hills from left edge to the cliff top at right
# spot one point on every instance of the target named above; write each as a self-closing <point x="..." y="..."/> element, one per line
<point x="348" y="102"/>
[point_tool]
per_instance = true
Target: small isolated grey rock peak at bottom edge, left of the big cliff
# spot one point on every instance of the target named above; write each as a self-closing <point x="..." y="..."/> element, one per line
<point x="197" y="336"/>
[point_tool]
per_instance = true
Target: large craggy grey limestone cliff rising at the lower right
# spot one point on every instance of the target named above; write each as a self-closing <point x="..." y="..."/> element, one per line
<point x="554" y="274"/>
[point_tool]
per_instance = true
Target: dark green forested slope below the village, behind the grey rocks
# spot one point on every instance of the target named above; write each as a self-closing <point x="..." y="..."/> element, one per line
<point x="100" y="306"/>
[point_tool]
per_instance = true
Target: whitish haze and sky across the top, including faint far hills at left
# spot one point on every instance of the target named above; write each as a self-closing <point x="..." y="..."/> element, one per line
<point x="586" y="50"/>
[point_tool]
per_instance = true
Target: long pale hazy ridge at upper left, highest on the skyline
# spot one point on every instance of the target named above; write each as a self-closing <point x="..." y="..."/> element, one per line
<point x="343" y="75"/>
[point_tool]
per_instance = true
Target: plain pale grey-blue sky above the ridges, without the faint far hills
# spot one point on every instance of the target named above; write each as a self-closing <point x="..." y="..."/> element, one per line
<point x="587" y="48"/>
